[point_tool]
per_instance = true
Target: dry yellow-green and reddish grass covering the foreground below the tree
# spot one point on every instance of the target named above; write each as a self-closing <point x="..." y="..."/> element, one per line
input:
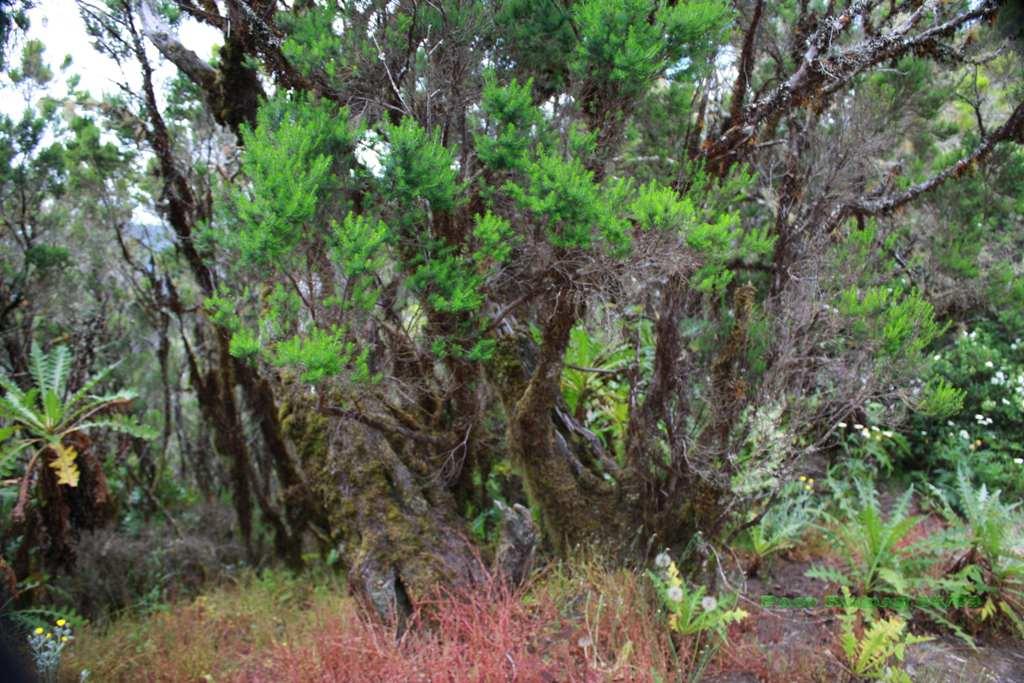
<point x="579" y="623"/>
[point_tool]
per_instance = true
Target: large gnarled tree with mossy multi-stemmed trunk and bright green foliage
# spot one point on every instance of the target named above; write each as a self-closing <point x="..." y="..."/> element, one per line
<point x="435" y="199"/>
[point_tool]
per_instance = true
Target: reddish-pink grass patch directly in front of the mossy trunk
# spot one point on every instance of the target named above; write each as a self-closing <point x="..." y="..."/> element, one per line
<point x="489" y="634"/>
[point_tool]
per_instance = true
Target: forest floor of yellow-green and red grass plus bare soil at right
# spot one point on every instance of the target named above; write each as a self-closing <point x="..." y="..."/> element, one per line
<point x="575" y="623"/>
